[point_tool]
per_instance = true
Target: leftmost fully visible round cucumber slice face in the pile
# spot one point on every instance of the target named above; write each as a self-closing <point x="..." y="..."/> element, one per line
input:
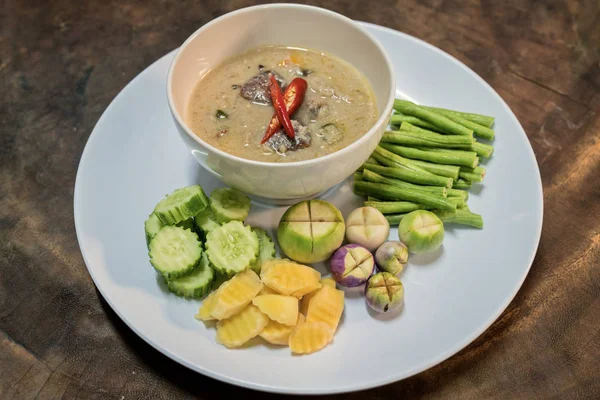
<point x="174" y="251"/>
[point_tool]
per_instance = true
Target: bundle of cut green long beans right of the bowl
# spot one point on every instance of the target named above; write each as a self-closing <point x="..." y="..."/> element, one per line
<point x="428" y="161"/>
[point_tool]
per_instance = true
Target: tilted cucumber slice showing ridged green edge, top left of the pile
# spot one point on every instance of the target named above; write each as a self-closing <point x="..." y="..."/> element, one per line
<point x="181" y="204"/>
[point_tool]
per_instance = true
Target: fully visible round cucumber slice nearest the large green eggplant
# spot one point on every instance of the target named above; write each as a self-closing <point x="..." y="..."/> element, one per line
<point x="232" y="247"/>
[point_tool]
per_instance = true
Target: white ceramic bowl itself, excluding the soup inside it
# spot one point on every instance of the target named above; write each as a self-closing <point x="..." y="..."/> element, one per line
<point x="289" y="25"/>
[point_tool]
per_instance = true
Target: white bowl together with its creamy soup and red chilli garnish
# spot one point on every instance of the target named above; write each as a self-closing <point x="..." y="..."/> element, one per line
<point x="226" y="117"/>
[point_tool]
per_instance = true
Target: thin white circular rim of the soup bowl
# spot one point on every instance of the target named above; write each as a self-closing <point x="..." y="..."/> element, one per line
<point x="386" y="109"/>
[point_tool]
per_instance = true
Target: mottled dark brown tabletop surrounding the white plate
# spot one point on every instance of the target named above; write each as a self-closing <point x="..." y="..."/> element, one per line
<point x="62" y="62"/>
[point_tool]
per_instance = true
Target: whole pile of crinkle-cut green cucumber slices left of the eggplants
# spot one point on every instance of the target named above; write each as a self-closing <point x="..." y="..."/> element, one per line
<point x="197" y="243"/>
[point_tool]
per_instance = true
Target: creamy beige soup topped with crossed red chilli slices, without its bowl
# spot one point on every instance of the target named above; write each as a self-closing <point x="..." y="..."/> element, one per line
<point x="282" y="104"/>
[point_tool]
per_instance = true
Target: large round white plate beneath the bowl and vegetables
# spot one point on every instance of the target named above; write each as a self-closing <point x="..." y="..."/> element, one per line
<point x="134" y="157"/>
